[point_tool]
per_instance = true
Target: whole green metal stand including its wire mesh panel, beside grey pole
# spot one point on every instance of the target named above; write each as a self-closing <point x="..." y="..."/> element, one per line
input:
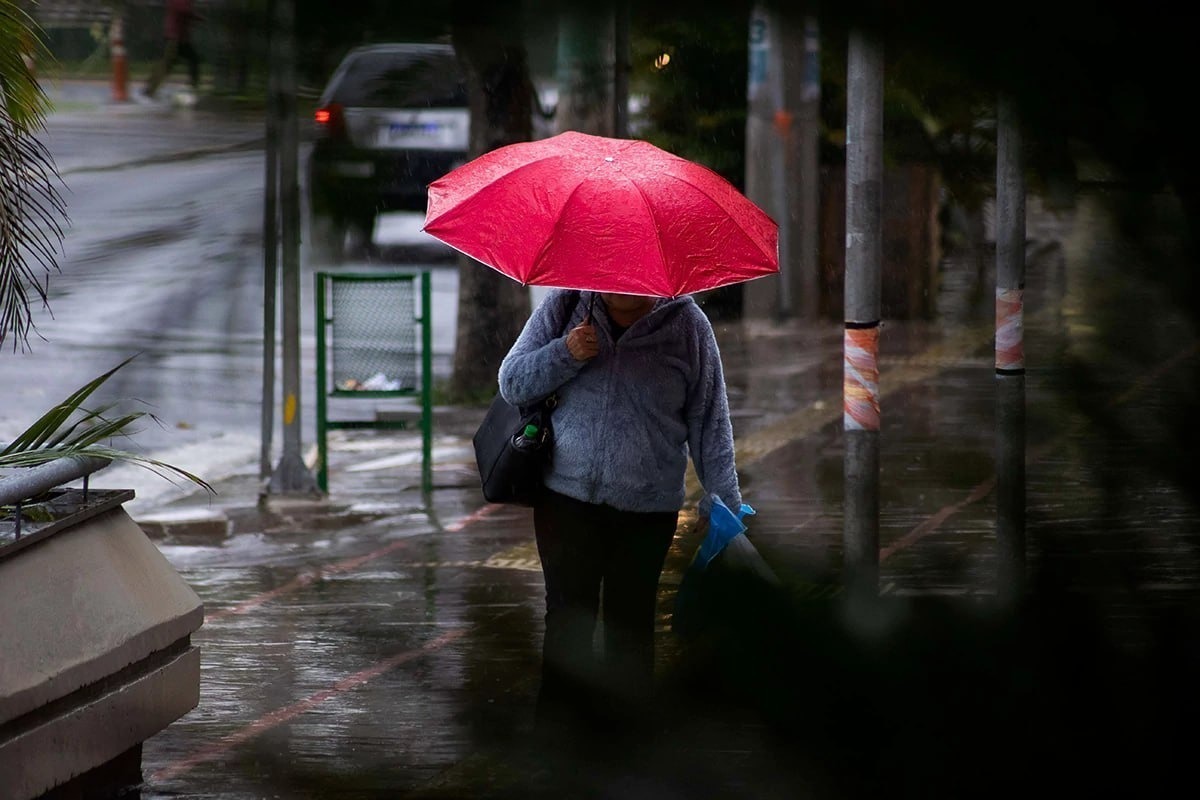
<point x="374" y="341"/>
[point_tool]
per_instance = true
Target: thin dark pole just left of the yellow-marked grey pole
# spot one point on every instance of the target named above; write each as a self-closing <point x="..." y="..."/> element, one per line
<point x="271" y="249"/>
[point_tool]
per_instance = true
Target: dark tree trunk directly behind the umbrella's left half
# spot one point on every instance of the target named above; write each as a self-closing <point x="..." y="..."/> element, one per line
<point x="493" y="309"/>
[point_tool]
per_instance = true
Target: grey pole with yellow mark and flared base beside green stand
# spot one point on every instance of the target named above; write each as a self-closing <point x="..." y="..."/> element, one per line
<point x="291" y="474"/>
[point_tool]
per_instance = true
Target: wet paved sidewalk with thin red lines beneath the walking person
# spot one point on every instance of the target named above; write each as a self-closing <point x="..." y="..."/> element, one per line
<point x="385" y="645"/>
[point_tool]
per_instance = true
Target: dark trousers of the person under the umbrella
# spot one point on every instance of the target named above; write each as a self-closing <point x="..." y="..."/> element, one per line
<point x="598" y="561"/>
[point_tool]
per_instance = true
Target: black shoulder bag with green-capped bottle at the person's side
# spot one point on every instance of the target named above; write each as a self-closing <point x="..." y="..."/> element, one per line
<point x="513" y="448"/>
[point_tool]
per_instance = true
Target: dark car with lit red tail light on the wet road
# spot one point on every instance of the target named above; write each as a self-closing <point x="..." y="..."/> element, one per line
<point x="392" y="119"/>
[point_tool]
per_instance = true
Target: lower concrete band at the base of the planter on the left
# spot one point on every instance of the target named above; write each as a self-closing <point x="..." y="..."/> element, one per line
<point x="88" y="736"/>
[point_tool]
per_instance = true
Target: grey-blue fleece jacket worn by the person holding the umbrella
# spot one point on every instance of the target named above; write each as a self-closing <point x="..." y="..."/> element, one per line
<point x="628" y="419"/>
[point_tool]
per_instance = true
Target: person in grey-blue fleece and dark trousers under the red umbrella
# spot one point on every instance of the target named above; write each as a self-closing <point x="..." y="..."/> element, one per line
<point x="640" y="389"/>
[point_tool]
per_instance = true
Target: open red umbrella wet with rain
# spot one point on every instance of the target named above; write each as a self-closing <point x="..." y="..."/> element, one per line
<point x="583" y="212"/>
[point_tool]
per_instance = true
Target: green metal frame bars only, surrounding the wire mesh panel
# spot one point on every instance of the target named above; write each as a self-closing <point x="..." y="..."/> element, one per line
<point x="327" y="329"/>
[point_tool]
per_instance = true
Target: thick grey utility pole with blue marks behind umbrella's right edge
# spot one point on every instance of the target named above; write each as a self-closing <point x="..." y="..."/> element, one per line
<point x="783" y="169"/>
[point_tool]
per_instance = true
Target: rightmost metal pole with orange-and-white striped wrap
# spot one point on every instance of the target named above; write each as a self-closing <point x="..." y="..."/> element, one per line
<point x="1010" y="353"/>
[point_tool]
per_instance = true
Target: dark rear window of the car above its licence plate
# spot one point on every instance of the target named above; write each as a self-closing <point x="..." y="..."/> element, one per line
<point x="397" y="80"/>
